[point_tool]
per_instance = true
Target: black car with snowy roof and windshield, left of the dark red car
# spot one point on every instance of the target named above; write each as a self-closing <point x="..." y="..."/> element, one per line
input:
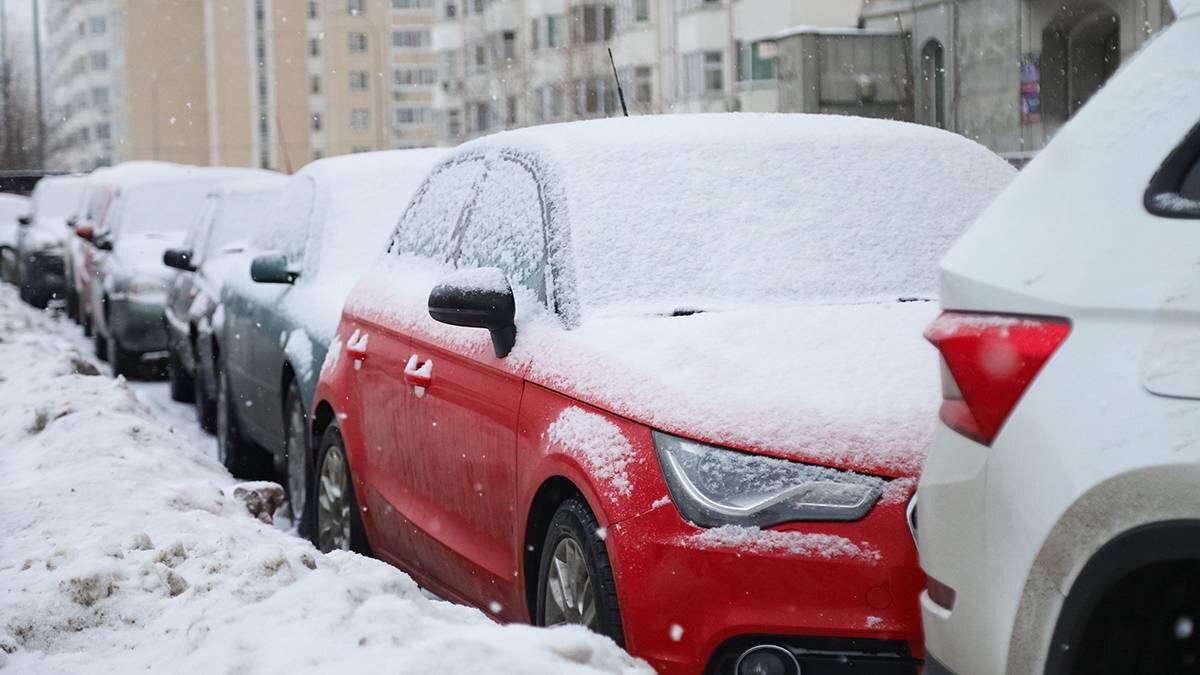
<point x="41" y="238"/>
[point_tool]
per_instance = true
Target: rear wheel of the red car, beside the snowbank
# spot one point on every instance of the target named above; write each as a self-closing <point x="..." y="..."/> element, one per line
<point x="338" y="523"/>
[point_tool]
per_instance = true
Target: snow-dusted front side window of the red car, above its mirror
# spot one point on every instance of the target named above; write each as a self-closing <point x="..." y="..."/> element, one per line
<point x="506" y="228"/>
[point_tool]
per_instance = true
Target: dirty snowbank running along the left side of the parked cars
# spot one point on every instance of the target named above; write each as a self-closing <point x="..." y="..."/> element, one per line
<point x="125" y="548"/>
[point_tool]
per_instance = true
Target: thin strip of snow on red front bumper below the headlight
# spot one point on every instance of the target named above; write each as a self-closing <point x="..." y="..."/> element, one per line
<point x="782" y="542"/>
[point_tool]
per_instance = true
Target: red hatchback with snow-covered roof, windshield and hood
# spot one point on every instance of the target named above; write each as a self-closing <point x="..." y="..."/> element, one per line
<point x="659" y="377"/>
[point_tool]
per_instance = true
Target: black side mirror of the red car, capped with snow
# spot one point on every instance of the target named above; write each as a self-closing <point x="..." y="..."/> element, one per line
<point x="478" y="298"/>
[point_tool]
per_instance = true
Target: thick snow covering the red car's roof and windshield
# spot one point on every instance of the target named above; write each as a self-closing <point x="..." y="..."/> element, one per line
<point x="721" y="211"/>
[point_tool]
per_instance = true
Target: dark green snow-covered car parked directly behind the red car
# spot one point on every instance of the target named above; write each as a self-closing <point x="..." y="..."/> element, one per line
<point x="275" y="325"/>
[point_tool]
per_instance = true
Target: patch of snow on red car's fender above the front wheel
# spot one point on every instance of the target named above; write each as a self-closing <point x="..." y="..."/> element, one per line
<point x="598" y="444"/>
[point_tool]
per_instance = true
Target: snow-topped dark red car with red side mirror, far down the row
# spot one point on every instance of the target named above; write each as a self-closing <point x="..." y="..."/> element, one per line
<point x="100" y="194"/>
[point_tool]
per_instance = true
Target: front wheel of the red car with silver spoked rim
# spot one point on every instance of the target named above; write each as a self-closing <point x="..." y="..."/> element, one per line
<point x="574" y="547"/>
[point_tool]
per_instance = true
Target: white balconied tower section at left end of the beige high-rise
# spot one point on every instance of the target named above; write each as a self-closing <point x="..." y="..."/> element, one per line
<point x="86" y="98"/>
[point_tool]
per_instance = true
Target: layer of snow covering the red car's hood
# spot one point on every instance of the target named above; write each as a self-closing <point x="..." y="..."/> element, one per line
<point x="848" y="386"/>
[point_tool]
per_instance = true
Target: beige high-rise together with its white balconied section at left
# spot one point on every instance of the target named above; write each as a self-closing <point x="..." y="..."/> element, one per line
<point x="265" y="83"/>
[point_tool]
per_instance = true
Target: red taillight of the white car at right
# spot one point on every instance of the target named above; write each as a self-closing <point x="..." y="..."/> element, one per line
<point x="988" y="363"/>
